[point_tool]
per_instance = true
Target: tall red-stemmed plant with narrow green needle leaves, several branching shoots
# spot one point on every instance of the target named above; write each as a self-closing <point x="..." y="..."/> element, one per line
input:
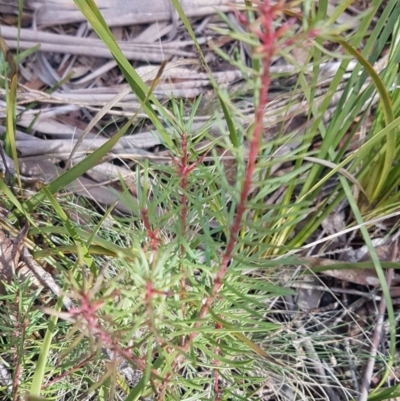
<point x="175" y="304"/>
